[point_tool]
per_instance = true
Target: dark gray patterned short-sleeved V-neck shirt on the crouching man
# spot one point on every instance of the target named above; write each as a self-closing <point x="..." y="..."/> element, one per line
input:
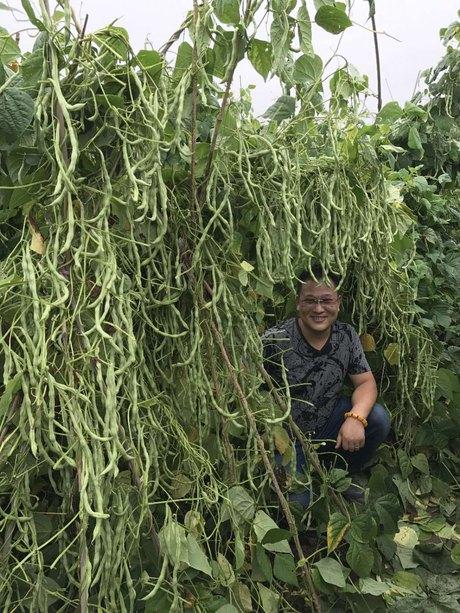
<point x="314" y="377"/>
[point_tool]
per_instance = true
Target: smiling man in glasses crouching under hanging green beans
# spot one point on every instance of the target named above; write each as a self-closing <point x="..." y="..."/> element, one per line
<point x="311" y="355"/>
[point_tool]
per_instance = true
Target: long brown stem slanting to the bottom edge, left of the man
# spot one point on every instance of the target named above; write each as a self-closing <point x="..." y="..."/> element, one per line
<point x="260" y="444"/>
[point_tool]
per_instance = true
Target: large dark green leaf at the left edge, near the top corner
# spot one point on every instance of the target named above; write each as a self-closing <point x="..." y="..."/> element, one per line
<point x="16" y="114"/>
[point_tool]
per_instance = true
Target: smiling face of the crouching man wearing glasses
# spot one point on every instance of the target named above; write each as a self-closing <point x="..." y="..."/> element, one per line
<point x="318" y="317"/>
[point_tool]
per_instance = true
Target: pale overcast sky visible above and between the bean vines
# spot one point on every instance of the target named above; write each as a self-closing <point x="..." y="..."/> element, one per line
<point x="415" y="23"/>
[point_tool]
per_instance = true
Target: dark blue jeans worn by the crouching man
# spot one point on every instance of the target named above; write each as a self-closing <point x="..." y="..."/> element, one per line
<point x="376" y="432"/>
